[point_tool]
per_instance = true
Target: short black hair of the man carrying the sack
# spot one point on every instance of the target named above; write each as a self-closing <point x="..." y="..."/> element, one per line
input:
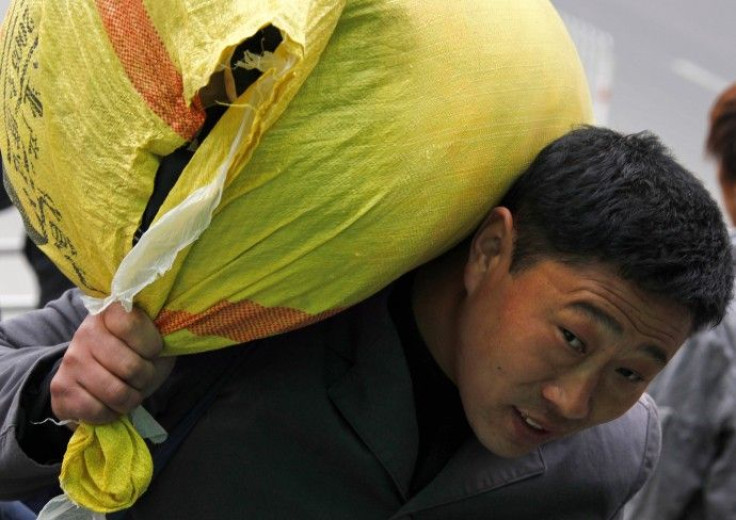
<point x="595" y="195"/>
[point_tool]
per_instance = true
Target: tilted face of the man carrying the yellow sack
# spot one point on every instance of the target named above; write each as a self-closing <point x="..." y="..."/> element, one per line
<point x="553" y="349"/>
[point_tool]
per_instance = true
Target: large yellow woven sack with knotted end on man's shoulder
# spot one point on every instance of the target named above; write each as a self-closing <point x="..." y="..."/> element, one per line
<point x="377" y="136"/>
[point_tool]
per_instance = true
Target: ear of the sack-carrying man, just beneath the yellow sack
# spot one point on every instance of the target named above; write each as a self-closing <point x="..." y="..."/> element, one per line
<point x="492" y="247"/>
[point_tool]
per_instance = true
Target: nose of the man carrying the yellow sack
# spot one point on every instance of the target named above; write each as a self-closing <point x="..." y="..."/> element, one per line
<point x="571" y="394"/>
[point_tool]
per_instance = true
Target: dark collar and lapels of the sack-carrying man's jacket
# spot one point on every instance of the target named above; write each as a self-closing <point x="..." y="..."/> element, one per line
<point x="375" y="397"/>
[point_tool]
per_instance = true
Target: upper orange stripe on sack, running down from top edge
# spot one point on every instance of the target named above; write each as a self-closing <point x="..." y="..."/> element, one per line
<point x="148" y="65"/>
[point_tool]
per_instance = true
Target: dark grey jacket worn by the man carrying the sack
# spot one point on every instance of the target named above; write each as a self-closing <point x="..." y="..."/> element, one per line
<point x="319" y="423"/>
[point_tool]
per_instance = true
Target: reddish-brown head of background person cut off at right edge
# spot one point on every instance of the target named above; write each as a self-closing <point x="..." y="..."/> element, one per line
<point x="721" y="144"/>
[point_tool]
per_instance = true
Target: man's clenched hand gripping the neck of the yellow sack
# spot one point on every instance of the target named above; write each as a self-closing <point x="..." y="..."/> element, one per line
<point x="111" y="365"/>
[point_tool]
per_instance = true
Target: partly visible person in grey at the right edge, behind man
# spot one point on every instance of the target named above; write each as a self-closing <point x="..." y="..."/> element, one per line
<point x="696" y="393"/>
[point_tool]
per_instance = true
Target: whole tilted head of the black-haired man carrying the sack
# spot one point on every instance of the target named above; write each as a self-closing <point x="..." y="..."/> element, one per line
<point x="578" y="289"/>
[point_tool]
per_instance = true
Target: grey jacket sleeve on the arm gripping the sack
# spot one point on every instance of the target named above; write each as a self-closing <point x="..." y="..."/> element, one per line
<point x="30" y="346"/>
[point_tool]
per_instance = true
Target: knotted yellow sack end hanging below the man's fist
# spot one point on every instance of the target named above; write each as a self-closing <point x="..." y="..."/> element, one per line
<point x="106" y="468"/>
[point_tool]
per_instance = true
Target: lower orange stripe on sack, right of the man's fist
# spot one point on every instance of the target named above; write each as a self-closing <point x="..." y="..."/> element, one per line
<point x="241" y="322"/>
